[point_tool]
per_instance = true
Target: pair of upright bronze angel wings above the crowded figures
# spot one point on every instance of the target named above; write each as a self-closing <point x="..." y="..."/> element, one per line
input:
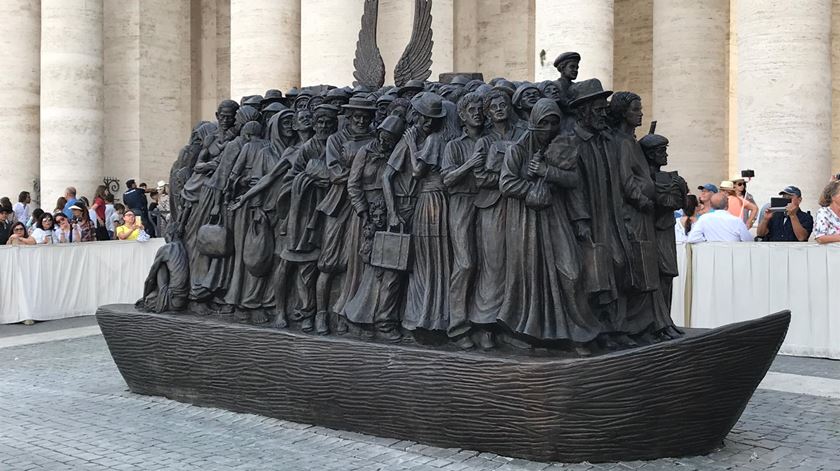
<point x="416" y="60"/>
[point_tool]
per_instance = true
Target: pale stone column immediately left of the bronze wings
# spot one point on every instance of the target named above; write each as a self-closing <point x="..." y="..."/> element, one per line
<point x="328" y="33"/>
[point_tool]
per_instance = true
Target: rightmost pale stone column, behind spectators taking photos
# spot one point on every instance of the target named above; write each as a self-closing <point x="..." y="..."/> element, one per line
<point x="784" y="95"/>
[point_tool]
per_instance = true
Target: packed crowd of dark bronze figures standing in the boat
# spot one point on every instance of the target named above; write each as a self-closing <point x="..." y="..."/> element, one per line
<point x="515" y="211"/>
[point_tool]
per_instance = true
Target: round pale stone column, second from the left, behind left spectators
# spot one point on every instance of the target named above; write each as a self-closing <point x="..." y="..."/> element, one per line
<point x="71" y="97"/>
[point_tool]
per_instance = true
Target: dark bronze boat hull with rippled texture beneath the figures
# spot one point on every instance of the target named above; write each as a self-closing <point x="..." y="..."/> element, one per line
<point x="674" y="398"/>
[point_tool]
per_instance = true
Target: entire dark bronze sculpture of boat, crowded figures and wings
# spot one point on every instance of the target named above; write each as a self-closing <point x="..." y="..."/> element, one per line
<point x="451" y="223"/>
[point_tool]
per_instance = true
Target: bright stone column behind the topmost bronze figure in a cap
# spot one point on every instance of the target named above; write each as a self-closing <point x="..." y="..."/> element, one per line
<point x="585" y="26"/>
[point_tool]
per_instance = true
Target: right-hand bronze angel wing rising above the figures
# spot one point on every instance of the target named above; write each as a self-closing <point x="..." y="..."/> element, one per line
<point x="416" y="60"/>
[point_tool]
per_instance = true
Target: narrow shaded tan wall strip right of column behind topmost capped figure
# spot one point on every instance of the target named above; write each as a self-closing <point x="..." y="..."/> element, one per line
<point x="633" y="53"/>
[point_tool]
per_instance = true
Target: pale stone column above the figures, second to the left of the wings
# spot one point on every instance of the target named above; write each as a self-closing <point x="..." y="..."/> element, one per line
<point x="264" y="45"/>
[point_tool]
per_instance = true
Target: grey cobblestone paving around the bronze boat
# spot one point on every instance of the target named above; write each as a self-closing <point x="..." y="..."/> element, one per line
<point x="63" y="405"/>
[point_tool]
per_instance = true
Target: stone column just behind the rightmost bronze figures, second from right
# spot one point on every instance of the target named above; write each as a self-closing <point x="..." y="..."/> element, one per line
<point x="690" y="85"/>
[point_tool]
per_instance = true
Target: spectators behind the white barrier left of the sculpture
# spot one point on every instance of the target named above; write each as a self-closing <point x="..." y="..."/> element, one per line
<point x="141" y="215"/>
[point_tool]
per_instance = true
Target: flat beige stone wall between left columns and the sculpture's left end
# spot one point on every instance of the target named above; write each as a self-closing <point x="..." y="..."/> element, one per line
<point x="148" y="96"/>
